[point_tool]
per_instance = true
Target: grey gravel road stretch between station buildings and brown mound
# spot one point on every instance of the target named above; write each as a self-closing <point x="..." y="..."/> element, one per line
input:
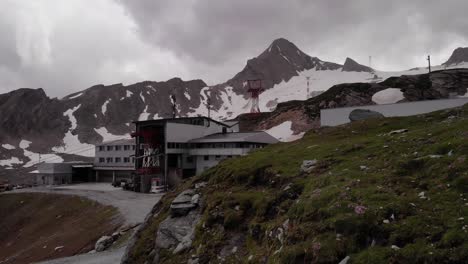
<point x="133" y="206"/>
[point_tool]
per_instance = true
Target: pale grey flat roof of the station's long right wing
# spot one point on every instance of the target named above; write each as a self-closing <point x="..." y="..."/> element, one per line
<point x="251" y="137"/>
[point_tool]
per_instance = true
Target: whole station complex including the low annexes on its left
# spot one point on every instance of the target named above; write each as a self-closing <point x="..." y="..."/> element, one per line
<point x="161" y="152"/>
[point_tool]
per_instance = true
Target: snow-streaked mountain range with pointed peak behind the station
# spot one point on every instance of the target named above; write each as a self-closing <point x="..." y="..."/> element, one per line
<point x="34" y="126"/>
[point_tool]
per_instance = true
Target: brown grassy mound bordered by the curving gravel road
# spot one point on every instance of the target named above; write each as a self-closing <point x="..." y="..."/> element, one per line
<point x="38" y="226"/>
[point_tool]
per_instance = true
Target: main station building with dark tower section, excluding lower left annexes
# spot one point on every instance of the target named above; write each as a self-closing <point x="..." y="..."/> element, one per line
<point x="169" y="150"/>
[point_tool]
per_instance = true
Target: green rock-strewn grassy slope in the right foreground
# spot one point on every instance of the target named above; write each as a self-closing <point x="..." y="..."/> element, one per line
<point x="374" y="196"/>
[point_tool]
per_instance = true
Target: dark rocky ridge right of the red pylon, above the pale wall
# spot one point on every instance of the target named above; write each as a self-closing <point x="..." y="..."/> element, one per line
<point x="306" y="114"/>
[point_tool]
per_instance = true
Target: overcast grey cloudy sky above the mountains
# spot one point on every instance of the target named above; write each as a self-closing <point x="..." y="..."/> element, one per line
<point x="65" y="46"/>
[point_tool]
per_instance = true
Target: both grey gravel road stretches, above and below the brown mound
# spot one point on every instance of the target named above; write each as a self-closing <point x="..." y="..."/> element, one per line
<point x="132" y="206"/>
